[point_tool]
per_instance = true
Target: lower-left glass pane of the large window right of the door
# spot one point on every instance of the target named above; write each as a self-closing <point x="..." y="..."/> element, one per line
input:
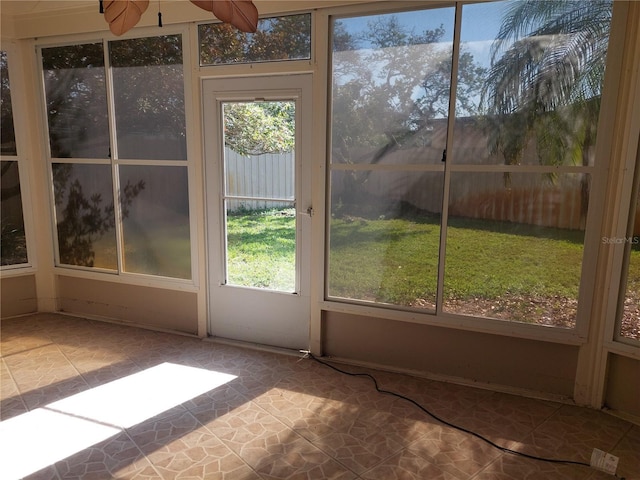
<point x="384" y="236"/>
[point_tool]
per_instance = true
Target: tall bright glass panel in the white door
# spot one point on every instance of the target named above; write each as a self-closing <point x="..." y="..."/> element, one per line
<point x="259" y="194"/>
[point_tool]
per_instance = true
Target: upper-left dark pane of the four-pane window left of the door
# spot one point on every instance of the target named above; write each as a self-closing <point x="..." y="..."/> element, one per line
<point x="74" y="80"/>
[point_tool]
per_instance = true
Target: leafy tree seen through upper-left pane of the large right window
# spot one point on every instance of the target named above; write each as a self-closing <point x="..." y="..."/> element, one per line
<point x="391" y="84"/>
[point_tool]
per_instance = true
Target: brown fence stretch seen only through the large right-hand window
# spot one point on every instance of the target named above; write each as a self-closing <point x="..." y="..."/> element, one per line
<point x="529" y="200"/>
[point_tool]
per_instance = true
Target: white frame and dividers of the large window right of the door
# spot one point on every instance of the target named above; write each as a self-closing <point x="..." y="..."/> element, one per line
<point x="575" y="336"/>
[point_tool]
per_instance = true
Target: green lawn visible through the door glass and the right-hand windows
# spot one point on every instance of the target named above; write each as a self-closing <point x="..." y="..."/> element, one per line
<point x="395" y="261"/>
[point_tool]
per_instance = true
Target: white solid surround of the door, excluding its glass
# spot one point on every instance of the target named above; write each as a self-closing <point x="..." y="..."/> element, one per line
<point x="224" y="318"/>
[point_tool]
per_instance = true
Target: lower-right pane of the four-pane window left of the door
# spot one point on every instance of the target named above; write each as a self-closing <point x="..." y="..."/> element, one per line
<point x="155" y="220"/>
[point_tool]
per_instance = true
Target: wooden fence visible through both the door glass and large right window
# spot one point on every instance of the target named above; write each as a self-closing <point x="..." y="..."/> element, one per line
<point x="267" y="181"/>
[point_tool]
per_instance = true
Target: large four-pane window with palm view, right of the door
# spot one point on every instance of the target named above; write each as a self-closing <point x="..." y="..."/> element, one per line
<point x="494" y="225"/>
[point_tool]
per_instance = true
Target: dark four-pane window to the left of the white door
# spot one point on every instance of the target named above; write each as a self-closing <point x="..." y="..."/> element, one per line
<point x="120" y="205"/>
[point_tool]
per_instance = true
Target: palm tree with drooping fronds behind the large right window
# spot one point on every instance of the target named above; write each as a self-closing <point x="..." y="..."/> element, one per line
<point x="545" y="81"/>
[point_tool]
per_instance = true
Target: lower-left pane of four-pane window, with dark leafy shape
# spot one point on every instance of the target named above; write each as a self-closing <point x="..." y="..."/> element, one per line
<point x="84" y="215"/>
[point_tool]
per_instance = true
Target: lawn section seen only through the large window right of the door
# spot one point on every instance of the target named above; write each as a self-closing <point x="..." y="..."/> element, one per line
<point x="396" y="261"/>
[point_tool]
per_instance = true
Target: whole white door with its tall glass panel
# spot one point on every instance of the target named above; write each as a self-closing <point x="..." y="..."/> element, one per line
<point x="257" y="167"/>
